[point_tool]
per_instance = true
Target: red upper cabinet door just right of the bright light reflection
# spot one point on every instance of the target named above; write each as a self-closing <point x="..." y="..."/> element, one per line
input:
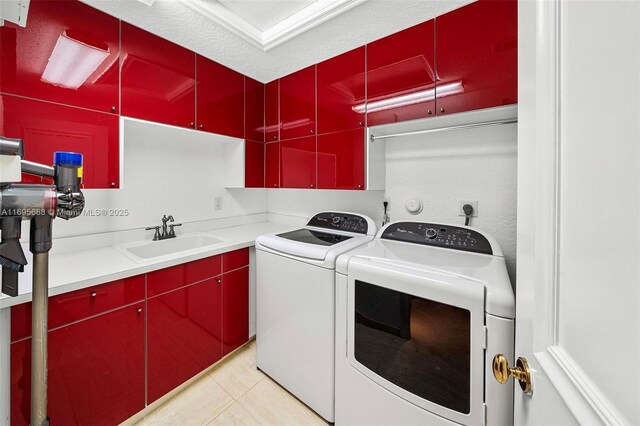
<point x="158" y="79"/>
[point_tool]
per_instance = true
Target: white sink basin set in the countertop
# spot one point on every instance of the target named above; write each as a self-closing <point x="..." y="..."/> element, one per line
<point x="148" y="250"/>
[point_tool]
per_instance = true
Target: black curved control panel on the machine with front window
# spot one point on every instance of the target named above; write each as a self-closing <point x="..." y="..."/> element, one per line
<point x="432" y="234"/>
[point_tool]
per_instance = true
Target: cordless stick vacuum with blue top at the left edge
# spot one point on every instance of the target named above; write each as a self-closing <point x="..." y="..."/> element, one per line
<point x="40" y="204"/>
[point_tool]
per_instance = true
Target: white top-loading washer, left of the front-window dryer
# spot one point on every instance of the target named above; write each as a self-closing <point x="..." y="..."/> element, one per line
<point x="295" y="304"/>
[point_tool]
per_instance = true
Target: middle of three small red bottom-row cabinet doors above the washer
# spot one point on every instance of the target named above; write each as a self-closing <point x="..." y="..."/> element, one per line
<point x="298" y="163"/>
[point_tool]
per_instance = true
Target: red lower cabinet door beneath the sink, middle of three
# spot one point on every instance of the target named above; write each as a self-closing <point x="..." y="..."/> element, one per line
<point x="183" y="335"/>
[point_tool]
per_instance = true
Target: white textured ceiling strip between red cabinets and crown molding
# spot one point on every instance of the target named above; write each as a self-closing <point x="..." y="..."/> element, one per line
<point x="362" y="24"/>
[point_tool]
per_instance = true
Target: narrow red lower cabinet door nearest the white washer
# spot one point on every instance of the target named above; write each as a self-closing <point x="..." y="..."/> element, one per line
<point x="235" y="309"/>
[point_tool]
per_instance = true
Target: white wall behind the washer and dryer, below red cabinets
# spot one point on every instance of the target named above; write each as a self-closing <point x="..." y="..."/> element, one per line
<point x="440" y="169"/>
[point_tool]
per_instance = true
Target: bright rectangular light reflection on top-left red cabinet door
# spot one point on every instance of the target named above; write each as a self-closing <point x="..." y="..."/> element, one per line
<point x="72" y="62"/>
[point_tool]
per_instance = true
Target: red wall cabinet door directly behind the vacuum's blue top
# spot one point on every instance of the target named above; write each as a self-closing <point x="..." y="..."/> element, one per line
<point x="46" y="128"/>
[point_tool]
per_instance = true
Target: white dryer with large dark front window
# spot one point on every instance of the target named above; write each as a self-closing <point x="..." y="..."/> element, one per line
<point x="420" y="312"/>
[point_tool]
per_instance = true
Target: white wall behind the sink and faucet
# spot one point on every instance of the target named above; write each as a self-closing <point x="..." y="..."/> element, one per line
<point x="167" y="170"/>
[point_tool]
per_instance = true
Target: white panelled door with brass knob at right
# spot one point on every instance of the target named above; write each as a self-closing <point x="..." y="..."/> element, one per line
<point x="578" y="278"/>
